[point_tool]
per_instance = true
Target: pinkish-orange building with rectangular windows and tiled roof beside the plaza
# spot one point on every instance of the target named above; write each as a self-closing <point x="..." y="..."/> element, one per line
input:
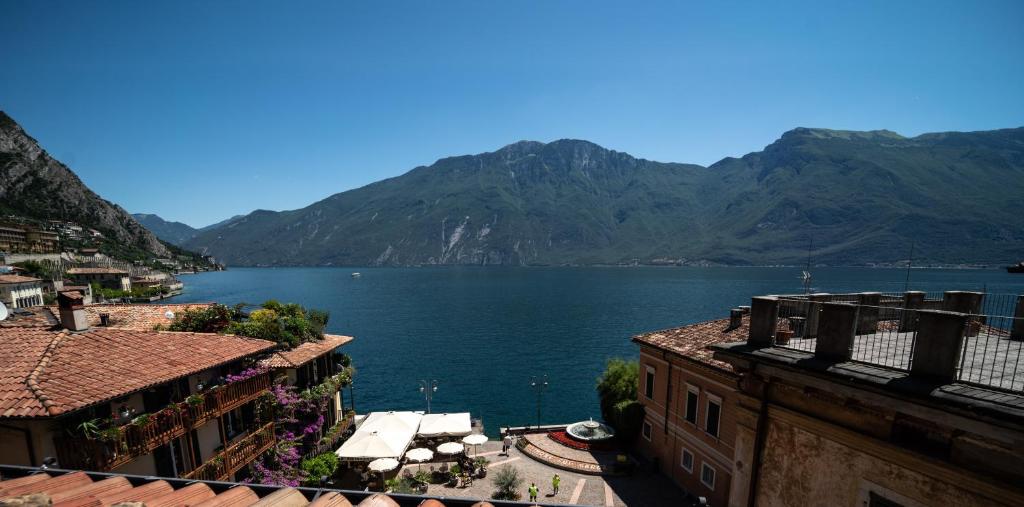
<point x="689" y="399"/>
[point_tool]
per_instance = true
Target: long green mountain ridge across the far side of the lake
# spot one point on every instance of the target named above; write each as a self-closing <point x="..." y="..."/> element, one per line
<point x="861" y="198"/>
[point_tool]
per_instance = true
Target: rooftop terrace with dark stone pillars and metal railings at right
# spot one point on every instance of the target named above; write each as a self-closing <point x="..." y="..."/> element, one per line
<point x="964" y="348"/>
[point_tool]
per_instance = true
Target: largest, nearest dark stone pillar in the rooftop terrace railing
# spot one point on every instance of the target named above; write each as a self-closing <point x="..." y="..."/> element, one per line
<point x="938" y="347"/>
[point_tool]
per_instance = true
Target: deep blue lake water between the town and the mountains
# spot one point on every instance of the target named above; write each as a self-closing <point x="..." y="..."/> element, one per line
<point x="484" y="332"/>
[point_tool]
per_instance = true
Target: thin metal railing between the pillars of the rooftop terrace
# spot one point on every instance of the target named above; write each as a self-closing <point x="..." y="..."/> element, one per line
<point x="883" y="329"/>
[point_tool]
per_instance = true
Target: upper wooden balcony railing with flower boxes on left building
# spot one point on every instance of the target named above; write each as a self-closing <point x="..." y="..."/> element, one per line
<point x="133" y="441"/>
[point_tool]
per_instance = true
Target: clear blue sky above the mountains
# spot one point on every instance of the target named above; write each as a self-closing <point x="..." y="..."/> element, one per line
<point x="199" y="111"/>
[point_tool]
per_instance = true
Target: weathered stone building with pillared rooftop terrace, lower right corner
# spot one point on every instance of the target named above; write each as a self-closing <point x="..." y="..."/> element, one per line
<point x="875" y="400"/>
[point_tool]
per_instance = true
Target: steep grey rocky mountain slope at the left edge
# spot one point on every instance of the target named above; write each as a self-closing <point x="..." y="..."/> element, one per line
<point x="36" y="186"/>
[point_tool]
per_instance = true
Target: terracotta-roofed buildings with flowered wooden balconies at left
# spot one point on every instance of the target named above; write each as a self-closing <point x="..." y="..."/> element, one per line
<point x="173" y="413"/>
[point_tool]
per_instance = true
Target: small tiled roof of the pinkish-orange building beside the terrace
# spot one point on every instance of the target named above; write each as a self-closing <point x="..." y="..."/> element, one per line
<point x="693" y="342"/>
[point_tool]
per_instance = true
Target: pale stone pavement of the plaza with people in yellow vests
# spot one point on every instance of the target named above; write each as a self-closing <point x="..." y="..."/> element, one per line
<point x="638" y="490"/>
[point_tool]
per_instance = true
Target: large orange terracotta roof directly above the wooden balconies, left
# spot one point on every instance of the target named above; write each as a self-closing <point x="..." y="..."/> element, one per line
<point x="49" y="372"/>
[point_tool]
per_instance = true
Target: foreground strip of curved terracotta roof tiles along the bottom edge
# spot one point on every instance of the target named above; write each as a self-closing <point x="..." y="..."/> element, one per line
<point x="78" y="489"/>
